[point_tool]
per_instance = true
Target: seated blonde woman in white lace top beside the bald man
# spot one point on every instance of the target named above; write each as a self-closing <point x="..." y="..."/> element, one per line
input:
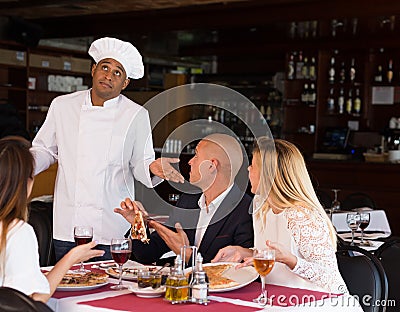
<point x="288" y="217"/>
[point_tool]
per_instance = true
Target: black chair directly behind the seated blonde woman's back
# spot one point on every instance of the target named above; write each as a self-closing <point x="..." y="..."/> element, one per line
<point x="364" y="276"/>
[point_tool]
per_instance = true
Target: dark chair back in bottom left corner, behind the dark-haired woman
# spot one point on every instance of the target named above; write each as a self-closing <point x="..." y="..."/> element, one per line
<point x="12" y="300"/>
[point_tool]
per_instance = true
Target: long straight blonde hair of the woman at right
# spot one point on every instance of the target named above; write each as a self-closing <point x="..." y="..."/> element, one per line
<point x="285" y="180"/>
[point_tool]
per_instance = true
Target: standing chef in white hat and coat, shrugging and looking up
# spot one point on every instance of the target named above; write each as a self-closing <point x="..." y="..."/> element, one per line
<point x="101" y="141"/>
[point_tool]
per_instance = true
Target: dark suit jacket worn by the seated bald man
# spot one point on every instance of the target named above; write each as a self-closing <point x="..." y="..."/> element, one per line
<point x="231" y="225"/>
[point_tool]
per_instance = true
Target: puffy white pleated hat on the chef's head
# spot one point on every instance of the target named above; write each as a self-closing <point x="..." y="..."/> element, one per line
<point x="121" y="51"/>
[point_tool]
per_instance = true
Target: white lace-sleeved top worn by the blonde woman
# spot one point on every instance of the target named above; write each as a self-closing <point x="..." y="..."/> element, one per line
<point x="307" y="237"/>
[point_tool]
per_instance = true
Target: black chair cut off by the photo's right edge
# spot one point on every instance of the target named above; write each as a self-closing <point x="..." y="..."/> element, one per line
<point x="389" y="255"/>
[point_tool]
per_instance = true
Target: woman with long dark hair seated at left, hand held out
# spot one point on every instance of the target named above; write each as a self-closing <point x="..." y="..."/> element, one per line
<point x="19" y="258"/>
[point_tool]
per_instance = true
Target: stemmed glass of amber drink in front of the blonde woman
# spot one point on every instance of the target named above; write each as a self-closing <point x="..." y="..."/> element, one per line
<point x="264" y="260"/>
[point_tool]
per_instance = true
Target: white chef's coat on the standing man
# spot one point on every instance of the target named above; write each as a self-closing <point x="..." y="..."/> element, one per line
<point x="99" y="150"/>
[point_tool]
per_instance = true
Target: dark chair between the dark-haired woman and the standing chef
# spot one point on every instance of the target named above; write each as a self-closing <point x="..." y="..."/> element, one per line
<point x="41" y="219"/>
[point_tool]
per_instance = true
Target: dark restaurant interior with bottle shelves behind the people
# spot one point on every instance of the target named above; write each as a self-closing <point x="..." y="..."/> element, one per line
<point x="312" y="67"/>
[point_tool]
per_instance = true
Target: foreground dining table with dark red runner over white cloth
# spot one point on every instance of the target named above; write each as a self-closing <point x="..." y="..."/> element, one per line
<point x="280" y="298"/>
